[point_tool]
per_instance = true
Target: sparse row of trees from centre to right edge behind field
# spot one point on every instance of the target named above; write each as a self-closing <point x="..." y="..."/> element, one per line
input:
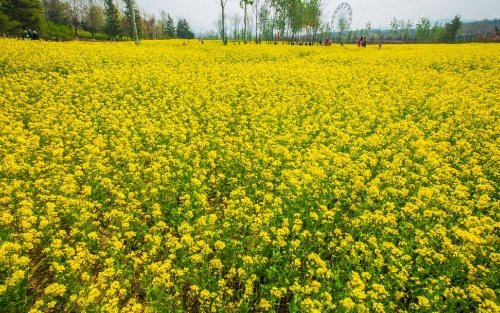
<point x="305" y="19"/>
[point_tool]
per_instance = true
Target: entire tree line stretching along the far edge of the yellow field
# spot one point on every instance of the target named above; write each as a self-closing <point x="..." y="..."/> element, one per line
<point x="269" y="20"/>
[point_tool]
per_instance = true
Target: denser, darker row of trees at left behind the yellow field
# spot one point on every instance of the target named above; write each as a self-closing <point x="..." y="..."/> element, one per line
<point x="88" y="18"/>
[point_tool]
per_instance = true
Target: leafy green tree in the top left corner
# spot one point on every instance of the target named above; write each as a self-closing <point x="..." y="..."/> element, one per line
<point x="19" y="15"/>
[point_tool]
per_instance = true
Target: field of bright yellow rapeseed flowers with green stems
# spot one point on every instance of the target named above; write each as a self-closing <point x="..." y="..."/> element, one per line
<point x="249" y="178"/>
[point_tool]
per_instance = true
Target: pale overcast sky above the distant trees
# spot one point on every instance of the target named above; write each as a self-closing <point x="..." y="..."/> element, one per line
<point x="200" y="14"/>
